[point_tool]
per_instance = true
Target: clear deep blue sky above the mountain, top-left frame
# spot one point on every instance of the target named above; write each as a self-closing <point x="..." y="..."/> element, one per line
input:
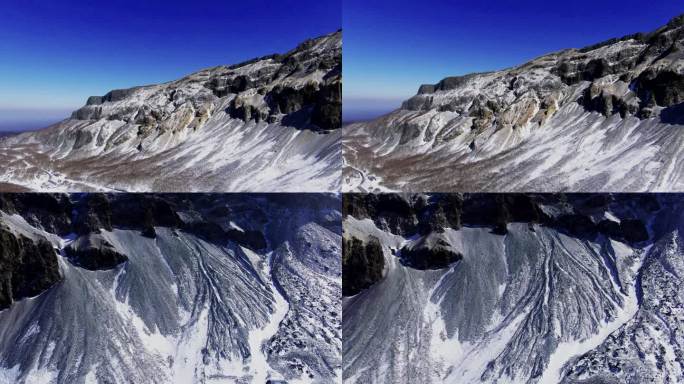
<point x="54" y="54"/>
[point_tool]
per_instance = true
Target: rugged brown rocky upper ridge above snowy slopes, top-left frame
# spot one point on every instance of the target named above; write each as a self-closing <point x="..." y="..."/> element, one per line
<point x="301" y="89"/>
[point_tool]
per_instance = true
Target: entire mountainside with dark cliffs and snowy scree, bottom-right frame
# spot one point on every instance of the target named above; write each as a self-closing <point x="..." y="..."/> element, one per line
<point x="513" y="288"/>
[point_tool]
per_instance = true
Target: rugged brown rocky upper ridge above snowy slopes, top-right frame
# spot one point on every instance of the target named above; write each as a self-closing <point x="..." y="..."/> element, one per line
<point x="640" y="75"/>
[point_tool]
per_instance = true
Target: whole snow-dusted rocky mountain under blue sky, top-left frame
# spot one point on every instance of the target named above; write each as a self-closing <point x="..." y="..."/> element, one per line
<point x="269" y="124"/>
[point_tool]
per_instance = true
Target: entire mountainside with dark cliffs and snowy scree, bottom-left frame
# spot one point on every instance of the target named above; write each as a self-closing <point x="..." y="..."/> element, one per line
<point x="138" y="288"/>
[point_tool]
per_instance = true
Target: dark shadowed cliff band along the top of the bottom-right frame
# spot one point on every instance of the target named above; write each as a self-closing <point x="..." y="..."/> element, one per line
<point x="581" y="215"/>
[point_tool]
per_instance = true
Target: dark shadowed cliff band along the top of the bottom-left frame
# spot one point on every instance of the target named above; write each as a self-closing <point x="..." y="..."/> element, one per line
<point x="88" y="214"/>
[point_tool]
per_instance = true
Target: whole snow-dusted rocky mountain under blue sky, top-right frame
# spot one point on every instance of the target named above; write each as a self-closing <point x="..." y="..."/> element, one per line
<point x="608" y="117"/>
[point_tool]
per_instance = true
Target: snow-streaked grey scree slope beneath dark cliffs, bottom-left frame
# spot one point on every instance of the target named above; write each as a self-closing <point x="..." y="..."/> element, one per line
<point x="185" y="309"/>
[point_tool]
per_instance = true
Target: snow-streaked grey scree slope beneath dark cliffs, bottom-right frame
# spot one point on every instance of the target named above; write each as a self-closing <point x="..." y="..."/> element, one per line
<point x="536" y="305"/>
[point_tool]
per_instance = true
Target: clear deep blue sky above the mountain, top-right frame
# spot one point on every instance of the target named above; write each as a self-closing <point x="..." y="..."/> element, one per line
<point x="391" y="47"/>
